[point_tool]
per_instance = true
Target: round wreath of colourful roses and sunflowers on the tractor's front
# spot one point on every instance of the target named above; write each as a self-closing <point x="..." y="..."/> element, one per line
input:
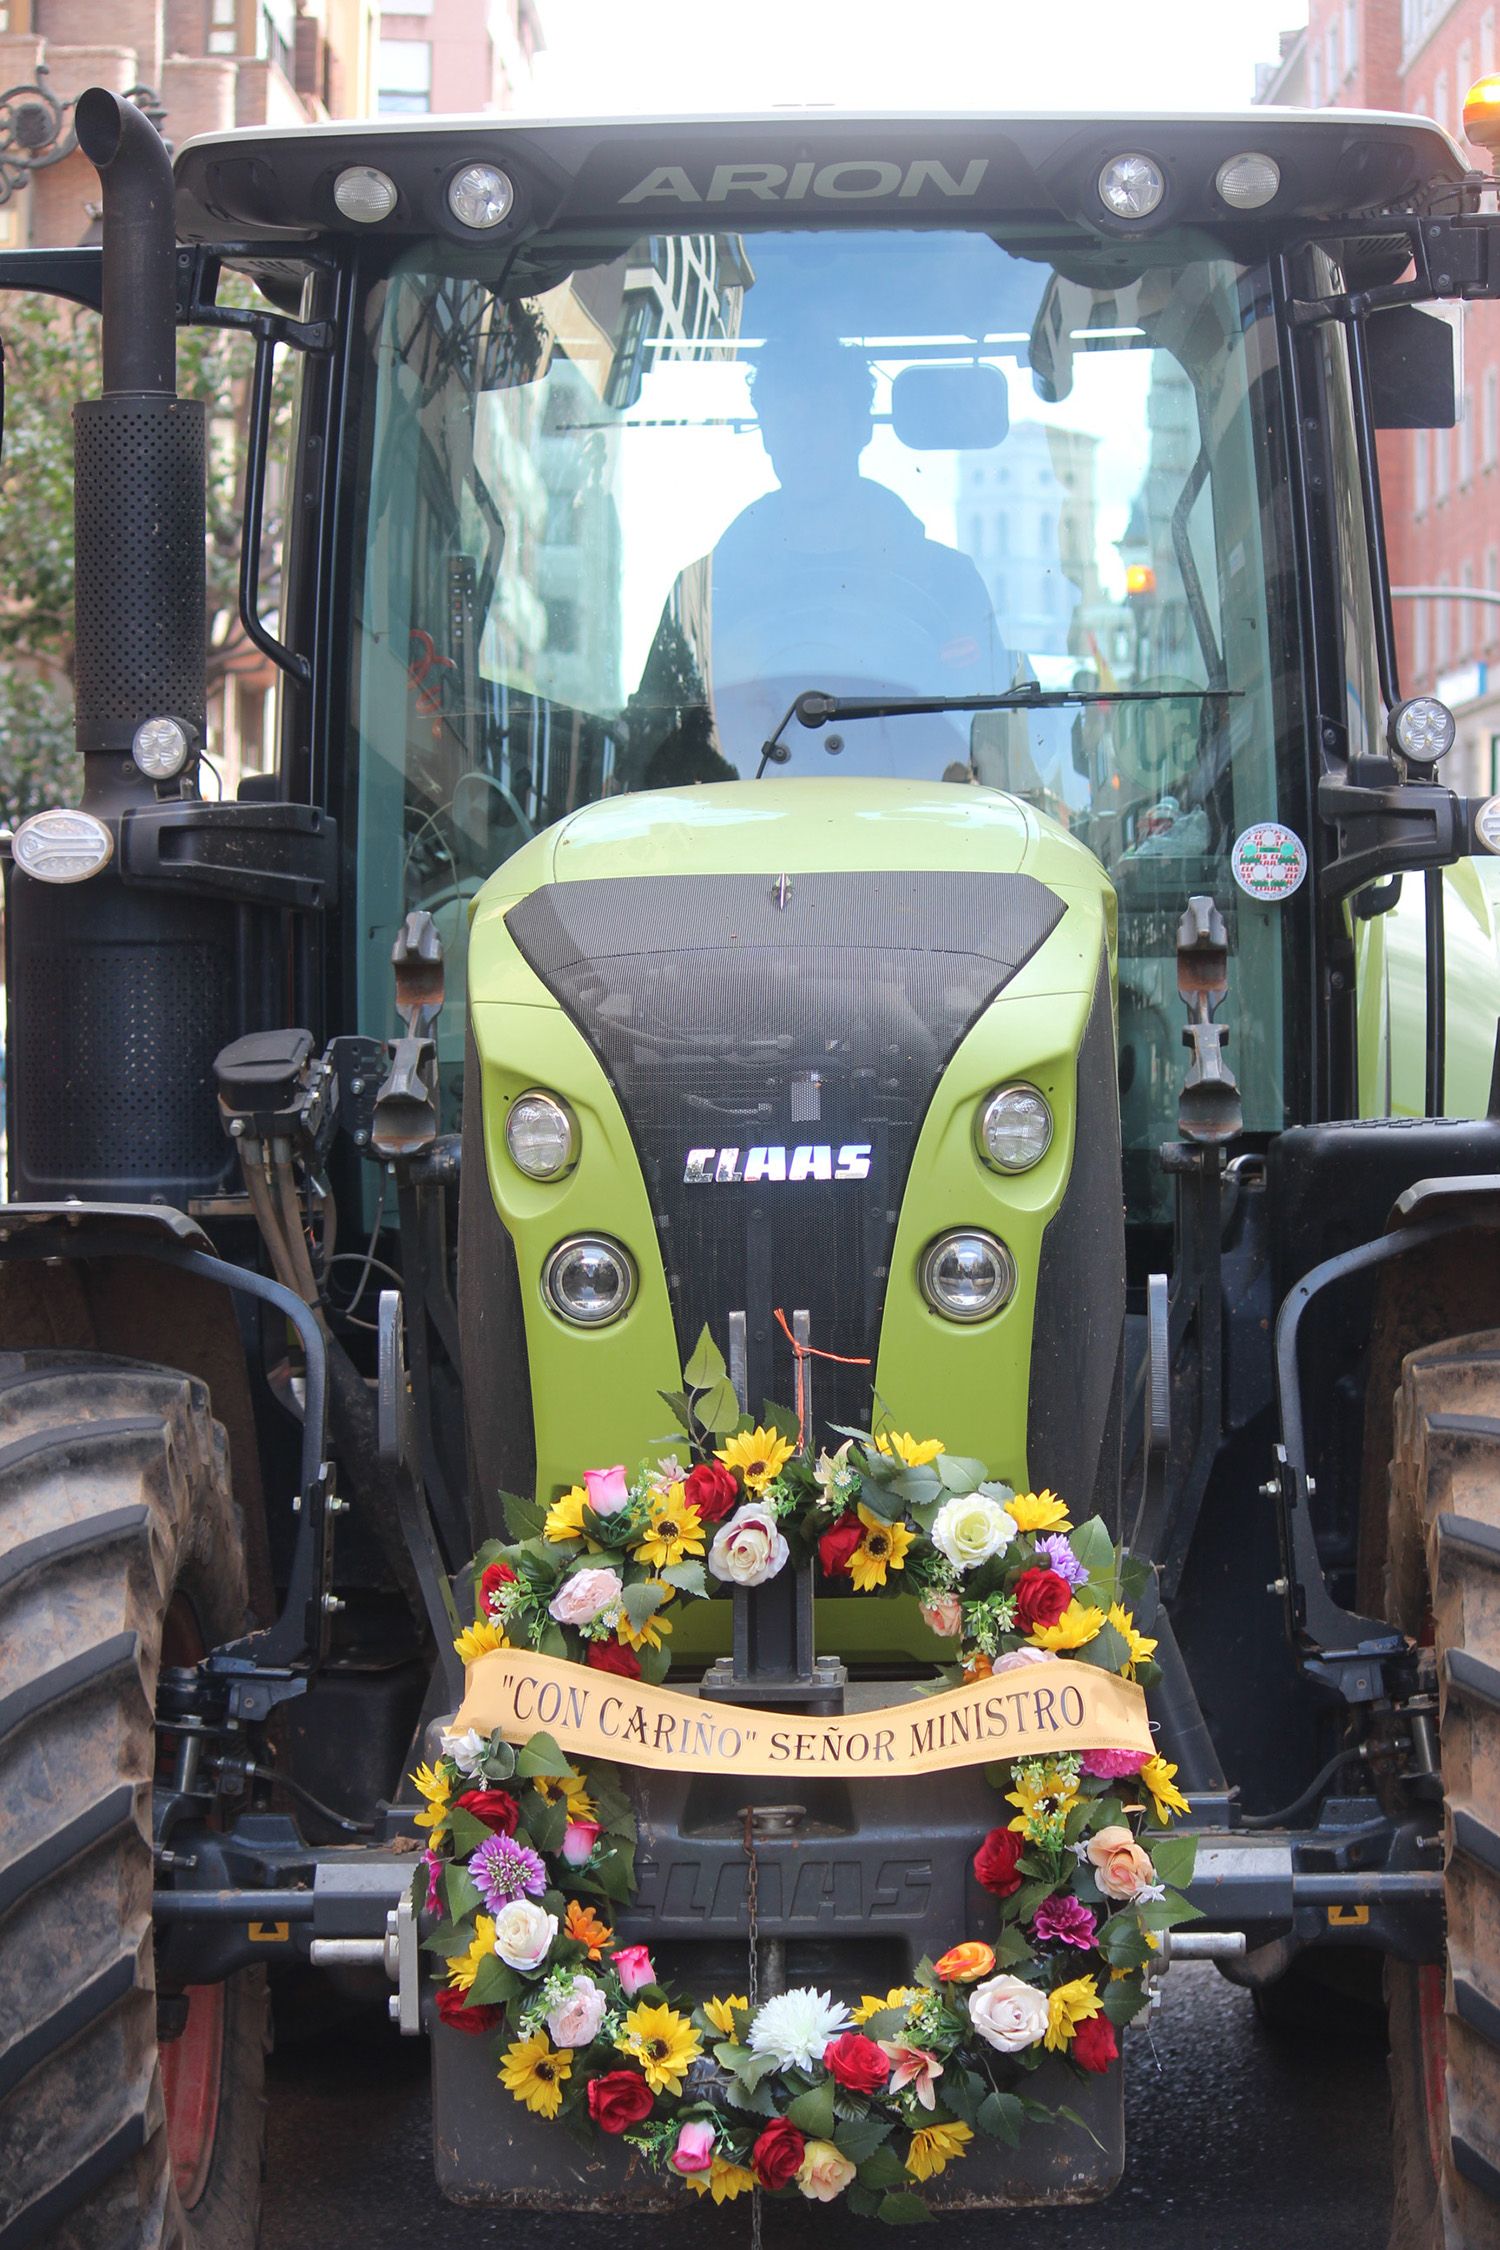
<point x="530" y="1857"/>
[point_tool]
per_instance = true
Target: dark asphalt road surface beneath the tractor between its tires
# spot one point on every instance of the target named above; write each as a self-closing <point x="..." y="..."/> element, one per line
<point x="1238" y="2139"/>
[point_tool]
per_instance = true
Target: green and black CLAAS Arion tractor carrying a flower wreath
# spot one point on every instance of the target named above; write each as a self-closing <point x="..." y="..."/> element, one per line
<point x="844" y="834"/>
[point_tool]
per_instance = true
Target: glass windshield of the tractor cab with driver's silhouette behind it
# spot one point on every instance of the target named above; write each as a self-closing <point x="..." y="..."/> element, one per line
<point x="626" y="503"/>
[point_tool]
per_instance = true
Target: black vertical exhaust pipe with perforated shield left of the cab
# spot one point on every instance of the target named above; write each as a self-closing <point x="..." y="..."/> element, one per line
<point x="141" y="609"/>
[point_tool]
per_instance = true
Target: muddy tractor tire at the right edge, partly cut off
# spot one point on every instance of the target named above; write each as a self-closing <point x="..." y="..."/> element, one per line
<point x="1445" y="1587"/>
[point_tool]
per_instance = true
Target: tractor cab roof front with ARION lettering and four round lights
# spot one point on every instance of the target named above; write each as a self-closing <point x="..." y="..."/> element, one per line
<point x="815" y="168"/>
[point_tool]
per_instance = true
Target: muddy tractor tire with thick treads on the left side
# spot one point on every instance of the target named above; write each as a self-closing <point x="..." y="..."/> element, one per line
<point x="120" y="1549"/>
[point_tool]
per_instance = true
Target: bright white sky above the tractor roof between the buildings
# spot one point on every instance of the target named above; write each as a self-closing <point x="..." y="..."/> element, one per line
<point x="633" y="57"/>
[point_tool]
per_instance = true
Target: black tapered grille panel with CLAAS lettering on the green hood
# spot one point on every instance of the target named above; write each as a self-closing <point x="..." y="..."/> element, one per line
<point x="737" y="1014"/>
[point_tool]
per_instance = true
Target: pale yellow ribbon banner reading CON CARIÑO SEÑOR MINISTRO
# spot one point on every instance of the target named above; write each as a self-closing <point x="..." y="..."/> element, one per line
<point x="1027" y="1713"/>
